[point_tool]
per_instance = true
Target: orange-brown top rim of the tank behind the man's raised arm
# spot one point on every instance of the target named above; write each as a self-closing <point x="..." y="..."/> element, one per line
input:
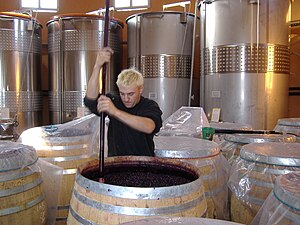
<point x="69" y="16"/>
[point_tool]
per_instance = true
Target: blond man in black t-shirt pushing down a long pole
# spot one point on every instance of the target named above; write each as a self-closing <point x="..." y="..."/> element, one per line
<point x="133" y="119"/>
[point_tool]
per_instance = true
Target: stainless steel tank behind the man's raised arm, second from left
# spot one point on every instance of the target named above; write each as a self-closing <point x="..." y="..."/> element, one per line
<point x="73" y="44"/>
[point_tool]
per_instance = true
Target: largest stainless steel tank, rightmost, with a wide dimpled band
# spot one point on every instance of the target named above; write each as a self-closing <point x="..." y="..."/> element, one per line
<point x="246" y="63"/>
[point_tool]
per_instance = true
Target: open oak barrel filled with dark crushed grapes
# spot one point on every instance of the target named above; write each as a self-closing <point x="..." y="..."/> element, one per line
<point x="105" y="203"/>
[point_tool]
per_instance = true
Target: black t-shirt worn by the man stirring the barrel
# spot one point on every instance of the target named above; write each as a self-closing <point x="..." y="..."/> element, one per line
<point x="124" y="140"/>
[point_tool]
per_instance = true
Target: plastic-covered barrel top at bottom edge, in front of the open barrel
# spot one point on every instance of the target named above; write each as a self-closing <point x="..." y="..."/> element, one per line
<point x="179" y="221"/>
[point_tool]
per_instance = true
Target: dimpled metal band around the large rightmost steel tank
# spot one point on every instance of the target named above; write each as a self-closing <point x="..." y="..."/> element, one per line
<point x="247" y="58"/>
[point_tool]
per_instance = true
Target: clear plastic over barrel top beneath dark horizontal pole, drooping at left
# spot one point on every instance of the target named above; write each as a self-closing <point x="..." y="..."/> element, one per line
<point x="232" y="143"/>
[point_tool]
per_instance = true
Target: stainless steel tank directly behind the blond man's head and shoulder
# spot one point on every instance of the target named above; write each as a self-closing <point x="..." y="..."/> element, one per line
<point x="160" y="46"/>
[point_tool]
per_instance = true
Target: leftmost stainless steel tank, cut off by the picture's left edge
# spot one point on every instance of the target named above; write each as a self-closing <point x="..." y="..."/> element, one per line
<point x="20" y="70"/>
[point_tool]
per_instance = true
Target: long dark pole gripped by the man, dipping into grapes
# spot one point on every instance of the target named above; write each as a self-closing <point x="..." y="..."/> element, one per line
<point x="103" y="92"/>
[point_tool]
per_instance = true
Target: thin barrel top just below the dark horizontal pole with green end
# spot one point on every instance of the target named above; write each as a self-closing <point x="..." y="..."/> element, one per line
<point x="259" y="138"/>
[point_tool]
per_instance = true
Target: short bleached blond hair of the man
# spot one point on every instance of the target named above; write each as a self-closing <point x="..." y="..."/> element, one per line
<point x="130" y="76"/>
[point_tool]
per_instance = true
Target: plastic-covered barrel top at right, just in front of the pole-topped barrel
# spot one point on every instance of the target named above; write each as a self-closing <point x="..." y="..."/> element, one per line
<point x="273" y="153"/>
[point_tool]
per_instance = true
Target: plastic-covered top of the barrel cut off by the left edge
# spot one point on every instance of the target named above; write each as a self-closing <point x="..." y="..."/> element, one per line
<point x="15" y="156"/>
